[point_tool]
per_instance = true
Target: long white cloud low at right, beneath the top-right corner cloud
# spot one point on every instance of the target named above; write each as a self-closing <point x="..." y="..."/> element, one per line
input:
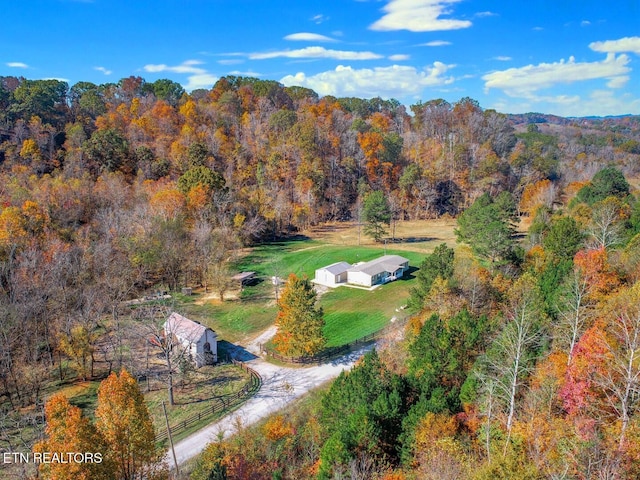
<point x="524" y="81"/>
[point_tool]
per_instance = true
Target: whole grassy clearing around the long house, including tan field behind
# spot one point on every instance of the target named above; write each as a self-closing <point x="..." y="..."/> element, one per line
<point x="349" y="313"/>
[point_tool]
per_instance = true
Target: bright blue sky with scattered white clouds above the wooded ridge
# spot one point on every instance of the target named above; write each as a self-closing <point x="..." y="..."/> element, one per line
<point x="566" y="57"/>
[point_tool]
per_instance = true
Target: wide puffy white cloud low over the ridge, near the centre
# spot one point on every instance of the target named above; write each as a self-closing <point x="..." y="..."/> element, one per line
<point x="393" y="81"/>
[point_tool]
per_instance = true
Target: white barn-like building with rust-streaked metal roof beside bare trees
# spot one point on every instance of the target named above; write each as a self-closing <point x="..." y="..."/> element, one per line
<point x="200" y="342"/>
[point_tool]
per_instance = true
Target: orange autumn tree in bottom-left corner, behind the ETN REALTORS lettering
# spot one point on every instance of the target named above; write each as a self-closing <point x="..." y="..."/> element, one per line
<point x="68" y="431"/>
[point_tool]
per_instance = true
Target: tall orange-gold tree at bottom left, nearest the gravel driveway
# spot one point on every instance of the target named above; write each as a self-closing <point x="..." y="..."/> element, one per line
<point x="122" y="418"/>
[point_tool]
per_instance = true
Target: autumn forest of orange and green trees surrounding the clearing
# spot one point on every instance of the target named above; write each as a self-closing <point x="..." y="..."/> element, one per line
<point x="524" y="361"/>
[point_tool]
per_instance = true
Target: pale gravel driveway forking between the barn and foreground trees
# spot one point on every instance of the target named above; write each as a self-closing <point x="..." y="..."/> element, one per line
<point x="280" y="386"/>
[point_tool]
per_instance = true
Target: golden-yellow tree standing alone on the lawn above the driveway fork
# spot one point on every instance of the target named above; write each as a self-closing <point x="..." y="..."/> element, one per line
<point x="299" y="320"/>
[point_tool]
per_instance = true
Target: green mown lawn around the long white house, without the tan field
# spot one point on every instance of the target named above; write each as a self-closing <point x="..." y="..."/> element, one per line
<point x="349" y="313"/>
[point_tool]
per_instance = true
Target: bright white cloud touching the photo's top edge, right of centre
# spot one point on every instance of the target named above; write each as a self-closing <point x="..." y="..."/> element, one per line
<point x="418" y="16"/>
